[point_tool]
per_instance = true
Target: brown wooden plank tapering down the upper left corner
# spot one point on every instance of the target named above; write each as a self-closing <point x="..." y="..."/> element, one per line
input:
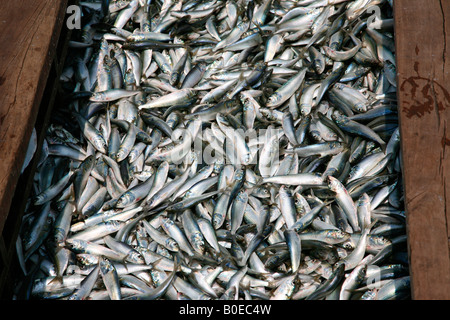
<point x="28" y="34"/>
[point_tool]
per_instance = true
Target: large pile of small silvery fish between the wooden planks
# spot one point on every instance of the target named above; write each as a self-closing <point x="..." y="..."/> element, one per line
<point x="221" y="150"/>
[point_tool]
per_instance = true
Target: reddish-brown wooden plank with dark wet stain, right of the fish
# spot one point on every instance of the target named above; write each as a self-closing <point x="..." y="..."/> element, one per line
<point x="424" y="106"/>
